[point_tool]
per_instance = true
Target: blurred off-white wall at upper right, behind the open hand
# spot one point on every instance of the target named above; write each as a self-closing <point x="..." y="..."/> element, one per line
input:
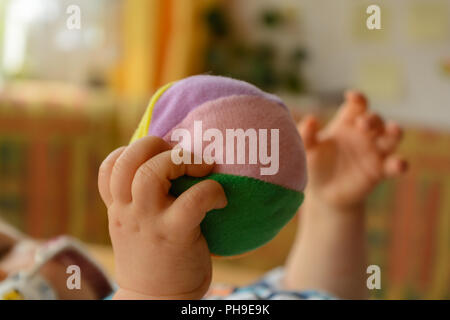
<point x="325" y="27"/>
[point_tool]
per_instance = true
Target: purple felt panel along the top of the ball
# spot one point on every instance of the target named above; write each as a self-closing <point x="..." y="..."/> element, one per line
<point x="187" y="94"/>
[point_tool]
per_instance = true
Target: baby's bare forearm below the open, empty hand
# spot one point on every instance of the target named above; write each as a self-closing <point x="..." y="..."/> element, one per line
<point x="329" y="253"/>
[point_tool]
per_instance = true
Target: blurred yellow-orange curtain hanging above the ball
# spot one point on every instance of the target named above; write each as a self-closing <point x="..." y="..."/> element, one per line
<point x="163" y="40"/>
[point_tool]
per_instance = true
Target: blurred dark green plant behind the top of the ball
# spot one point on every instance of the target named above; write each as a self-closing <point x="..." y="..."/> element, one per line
<point x="229" y="55"/>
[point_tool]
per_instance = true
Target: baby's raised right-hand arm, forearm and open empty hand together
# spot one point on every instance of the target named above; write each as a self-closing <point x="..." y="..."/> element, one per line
<point x="346" y="160"/>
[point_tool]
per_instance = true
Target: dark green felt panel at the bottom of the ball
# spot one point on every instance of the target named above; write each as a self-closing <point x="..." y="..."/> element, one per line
<point x="256" y="212"/>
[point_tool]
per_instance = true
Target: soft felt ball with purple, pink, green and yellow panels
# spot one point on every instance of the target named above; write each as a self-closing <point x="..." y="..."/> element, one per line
<point x="262" y="196"/>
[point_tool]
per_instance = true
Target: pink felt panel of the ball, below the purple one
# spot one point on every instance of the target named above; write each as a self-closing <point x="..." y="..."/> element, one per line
<point x="246" y="112"/>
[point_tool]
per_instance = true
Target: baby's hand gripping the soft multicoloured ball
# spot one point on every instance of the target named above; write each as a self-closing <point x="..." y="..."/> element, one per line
<point x="159" y="250"/>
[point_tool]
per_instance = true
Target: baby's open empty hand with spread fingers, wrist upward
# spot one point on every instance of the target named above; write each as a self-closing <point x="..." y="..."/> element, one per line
<point x="351" y="155"/>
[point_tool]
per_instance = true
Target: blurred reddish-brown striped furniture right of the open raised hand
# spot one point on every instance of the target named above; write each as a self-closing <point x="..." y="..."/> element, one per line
<point x="409" y="222"/>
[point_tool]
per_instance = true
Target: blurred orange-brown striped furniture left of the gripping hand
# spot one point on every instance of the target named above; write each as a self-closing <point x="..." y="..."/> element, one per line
<point x="52" y="139"/>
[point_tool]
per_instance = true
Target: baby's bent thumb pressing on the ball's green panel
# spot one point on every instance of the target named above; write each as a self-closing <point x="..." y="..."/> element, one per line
<point x="190" y="208"/>
